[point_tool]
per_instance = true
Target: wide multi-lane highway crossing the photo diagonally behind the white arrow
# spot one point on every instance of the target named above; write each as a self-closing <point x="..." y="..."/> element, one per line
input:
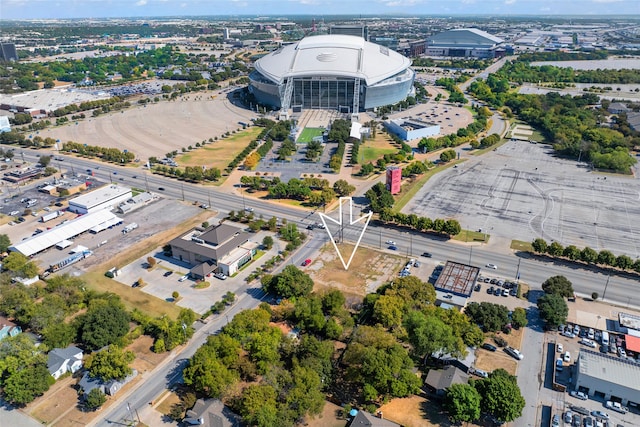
<point x="532" y="270"/>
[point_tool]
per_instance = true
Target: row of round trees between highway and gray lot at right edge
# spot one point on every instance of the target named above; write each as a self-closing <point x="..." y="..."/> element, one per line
<point x="586" y="255"/>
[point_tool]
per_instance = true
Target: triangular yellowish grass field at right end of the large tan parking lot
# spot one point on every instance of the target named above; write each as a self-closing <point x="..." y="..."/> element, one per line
<point x="219" y="153"/>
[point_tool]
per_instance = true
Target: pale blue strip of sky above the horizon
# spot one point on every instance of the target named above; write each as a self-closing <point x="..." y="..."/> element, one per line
<point x="58" y="9"/>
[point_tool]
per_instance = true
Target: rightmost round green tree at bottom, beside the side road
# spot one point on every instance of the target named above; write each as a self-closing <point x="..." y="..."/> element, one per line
<point x="500" y="396"/>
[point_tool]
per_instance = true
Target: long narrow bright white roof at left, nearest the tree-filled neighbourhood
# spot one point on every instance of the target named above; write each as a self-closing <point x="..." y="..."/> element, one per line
<point x="65" y="231"/>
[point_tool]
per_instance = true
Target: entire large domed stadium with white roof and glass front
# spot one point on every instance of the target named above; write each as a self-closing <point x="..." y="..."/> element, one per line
<point x="337" y="72"/>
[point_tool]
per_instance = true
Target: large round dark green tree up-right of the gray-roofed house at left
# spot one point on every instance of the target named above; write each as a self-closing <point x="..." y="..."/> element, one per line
<point x="105" y="323"/>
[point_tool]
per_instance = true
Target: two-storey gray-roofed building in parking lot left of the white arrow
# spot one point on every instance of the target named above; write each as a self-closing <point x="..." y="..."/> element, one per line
<point x="220" y="248"/>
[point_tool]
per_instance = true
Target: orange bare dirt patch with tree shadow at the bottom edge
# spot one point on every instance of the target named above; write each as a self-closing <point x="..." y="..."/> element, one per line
<point x="414" y="411"/>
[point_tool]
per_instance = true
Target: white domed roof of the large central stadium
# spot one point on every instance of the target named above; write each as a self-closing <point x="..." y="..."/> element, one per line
<point x="332" y="56"/>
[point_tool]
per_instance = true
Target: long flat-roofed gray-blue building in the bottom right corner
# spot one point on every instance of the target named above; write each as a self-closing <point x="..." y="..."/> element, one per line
<point x="608" y="377"/>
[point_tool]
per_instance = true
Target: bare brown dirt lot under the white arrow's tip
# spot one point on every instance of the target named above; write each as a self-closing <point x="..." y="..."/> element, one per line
<point x="369" y="269"/>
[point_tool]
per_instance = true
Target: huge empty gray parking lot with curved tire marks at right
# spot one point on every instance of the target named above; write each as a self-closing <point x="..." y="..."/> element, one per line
<point x="522" y="191"/>
